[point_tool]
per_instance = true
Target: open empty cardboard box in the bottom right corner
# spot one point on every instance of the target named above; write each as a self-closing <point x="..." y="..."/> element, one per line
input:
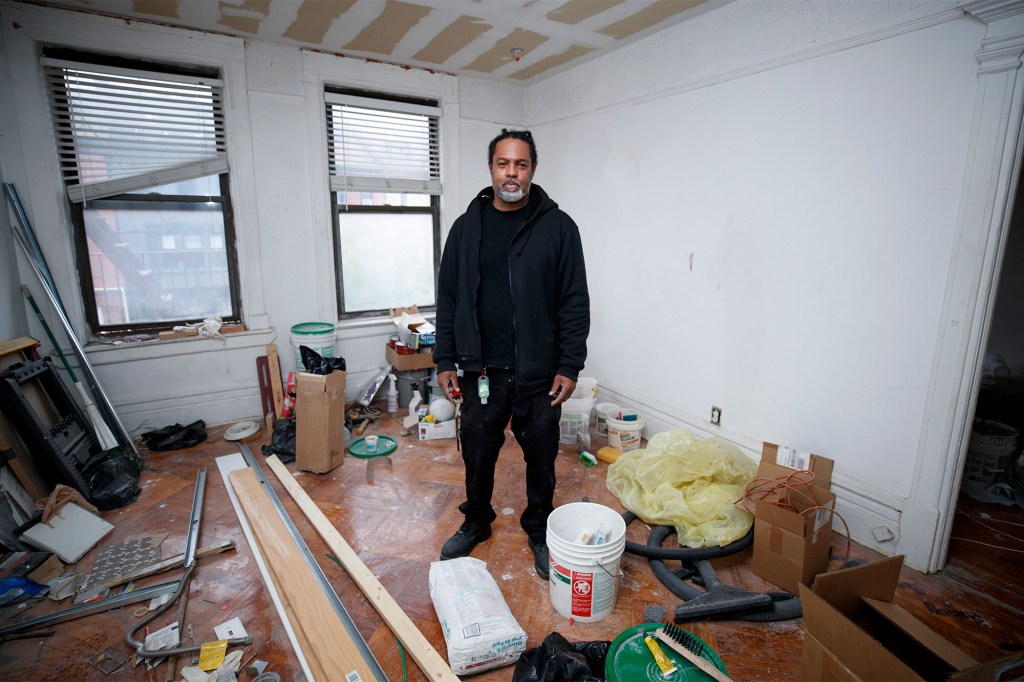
<point x="855" y="632"/>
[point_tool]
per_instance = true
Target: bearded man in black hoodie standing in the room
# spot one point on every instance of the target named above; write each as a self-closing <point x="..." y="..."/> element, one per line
<point x="514" y="314"/>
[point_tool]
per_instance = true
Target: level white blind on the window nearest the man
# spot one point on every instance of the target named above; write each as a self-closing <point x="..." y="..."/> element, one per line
<point x="381" y="146"/>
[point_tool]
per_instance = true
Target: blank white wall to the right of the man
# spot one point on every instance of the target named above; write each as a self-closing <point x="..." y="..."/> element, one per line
<point x="771" y="198"/>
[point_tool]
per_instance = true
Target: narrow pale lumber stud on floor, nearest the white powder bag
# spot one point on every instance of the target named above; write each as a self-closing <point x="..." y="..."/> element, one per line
<point x="432" y="663"/>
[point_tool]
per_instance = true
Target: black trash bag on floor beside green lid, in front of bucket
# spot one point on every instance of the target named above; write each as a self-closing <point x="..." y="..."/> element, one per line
<point x="557" y="660"/>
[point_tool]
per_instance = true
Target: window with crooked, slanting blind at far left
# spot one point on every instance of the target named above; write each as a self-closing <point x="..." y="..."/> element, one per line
<point x="143" y="152"/>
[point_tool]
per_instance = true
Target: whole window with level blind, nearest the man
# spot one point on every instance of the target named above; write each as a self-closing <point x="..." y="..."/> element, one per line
<point x="386" y="182"/>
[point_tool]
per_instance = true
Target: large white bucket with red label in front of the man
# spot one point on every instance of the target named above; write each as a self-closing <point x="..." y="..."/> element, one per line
<point x="584" y="579"/>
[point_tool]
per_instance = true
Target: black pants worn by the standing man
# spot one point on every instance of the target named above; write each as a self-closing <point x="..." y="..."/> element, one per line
<point x="535" y="425"/>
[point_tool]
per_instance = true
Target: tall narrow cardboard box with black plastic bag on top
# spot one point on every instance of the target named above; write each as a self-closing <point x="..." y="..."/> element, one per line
<point x="320" y="421"/>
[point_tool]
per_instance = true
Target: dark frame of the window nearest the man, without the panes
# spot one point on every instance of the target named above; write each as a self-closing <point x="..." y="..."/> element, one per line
<point x="382" y="100"/>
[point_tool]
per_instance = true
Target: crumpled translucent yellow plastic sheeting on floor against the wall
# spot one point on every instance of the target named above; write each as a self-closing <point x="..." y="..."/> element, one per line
<point x="687" y="483"/>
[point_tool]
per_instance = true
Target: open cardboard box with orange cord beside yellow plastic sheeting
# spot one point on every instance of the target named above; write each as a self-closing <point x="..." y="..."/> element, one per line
<point x="791" y="543"/>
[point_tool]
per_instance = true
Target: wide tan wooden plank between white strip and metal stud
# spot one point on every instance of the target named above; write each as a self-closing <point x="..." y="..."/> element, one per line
<point x="331" y="653"/>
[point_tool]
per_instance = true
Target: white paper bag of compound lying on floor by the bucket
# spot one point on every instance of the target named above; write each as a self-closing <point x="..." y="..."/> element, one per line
<point x="480" y="630"/>
